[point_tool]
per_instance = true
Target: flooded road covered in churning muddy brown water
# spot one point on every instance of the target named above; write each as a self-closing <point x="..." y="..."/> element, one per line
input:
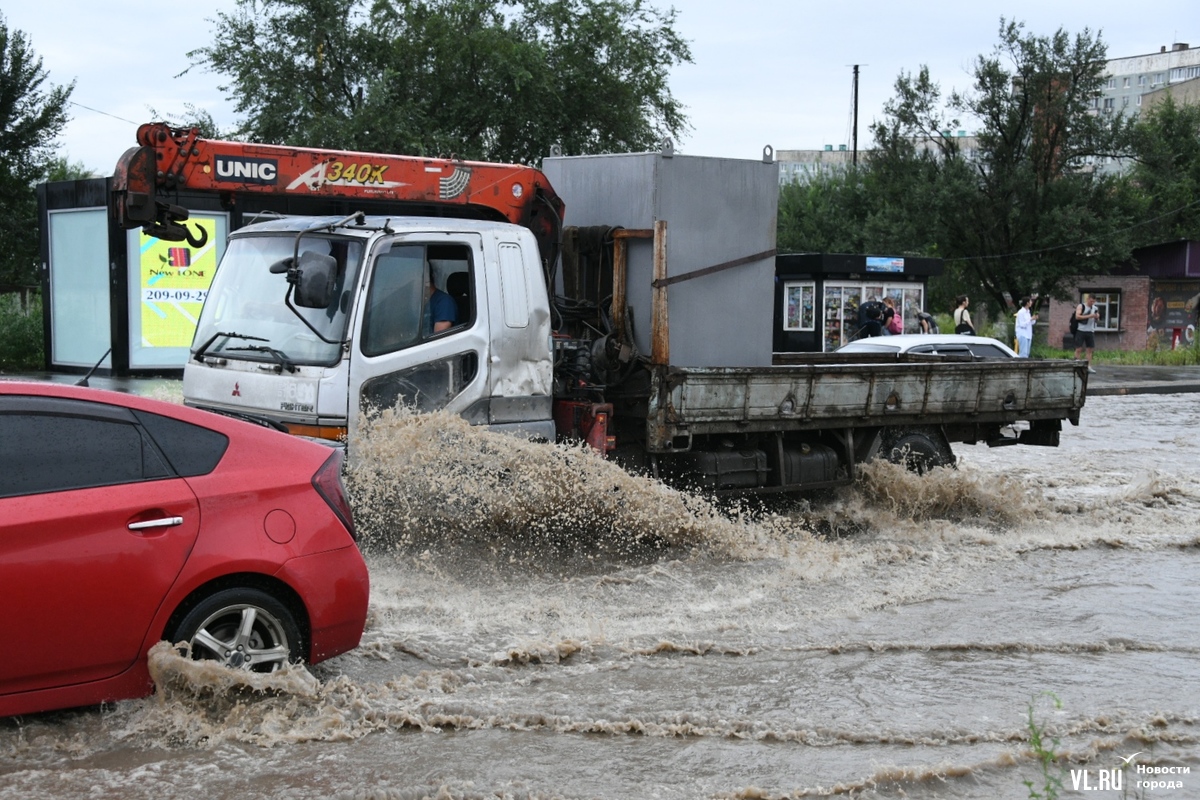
<point x="562" y="630"/>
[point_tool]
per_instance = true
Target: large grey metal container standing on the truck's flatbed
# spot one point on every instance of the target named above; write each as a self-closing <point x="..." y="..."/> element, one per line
<point x="718" y="210"/>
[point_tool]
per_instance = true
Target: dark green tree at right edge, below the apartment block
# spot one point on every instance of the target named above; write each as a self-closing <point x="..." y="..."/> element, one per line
<point x="1166" y="151"/>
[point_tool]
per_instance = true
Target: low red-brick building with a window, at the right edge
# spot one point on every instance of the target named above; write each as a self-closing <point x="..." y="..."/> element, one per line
<point x="1153" y="300"/>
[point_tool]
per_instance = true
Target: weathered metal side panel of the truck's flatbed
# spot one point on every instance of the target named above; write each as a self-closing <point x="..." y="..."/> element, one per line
<point x="827" y="395"/>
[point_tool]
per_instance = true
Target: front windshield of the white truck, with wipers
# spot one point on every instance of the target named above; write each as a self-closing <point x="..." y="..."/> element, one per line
<point x="245" y="317"/>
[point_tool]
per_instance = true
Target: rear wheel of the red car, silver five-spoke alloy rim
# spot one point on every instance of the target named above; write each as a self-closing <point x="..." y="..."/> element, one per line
<point x="243" y="629"/>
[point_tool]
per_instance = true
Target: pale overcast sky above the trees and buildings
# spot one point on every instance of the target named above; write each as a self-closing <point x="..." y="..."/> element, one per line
<point x="775" y="73"/>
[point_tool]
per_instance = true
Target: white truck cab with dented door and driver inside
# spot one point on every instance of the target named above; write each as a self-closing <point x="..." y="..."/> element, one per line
<point x="314" y="324"/>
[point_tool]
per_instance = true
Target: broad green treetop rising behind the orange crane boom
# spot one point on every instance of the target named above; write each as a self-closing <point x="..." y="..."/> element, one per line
<point x="472" y="79"/>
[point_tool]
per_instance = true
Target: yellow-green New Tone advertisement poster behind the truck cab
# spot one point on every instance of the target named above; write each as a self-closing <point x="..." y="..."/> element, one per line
<point x="175" y="281"/>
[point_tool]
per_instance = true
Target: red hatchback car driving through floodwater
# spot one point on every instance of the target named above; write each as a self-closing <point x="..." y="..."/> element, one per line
<point x="125" y="521"/>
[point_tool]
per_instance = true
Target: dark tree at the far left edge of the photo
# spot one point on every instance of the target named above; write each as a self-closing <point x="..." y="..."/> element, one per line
<point x="32" y="117"/>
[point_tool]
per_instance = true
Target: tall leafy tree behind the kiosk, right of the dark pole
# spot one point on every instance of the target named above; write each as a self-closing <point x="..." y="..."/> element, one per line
<point x="1025" y="212"/>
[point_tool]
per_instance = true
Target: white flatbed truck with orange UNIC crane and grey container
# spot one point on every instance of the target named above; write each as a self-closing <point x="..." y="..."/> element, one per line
<point x="653" y="352"/>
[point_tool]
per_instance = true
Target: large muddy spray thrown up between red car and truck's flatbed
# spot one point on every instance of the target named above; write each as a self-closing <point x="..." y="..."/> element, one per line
<point x="433" y="480"/>
